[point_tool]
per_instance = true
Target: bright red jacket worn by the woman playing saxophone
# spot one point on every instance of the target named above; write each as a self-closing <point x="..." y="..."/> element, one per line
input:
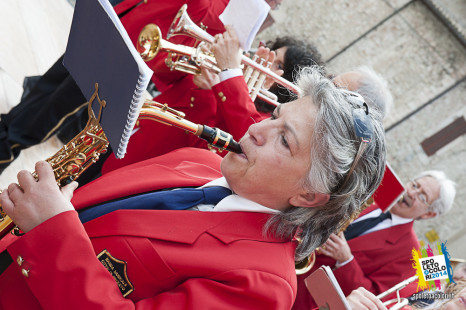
<point x="174" y="259"/>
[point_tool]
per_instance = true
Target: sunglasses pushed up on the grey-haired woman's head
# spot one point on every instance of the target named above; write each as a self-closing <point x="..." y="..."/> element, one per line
<point x="362" y="123"/>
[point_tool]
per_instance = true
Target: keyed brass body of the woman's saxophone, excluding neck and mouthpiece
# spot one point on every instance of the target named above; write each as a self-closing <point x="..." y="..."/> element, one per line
<point x="72" y="159"/>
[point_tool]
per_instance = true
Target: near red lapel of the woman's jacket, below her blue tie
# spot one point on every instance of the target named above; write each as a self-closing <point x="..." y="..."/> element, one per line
<point x="180" y="226"/>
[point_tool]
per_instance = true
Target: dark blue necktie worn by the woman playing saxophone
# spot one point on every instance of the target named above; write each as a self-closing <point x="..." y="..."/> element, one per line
<point x="178" y="199"/>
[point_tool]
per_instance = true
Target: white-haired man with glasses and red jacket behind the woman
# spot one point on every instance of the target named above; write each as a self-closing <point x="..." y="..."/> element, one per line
<point x="375" y="251"/>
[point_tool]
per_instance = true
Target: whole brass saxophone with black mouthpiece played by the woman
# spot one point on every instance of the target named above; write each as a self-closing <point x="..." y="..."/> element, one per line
<point x="84" y="149"/>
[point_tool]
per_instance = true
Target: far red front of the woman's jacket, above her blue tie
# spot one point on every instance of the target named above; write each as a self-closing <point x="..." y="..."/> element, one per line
<point x="168" y="171"/>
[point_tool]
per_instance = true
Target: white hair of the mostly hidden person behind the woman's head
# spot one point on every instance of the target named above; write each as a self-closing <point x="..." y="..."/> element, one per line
<point x="374" y="88"/>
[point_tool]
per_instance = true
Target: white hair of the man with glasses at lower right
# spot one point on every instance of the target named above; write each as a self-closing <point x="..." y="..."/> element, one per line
<point x="447" y="191"/>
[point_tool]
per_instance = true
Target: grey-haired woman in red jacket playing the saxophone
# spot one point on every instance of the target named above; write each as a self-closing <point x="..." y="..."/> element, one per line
<point x="124" y="250"/>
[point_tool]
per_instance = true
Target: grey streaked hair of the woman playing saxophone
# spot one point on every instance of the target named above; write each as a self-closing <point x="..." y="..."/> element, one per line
<point x="335" y="146"/>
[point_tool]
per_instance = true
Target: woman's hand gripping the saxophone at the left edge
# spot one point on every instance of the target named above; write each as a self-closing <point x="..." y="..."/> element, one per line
<point x="30" y="202"/>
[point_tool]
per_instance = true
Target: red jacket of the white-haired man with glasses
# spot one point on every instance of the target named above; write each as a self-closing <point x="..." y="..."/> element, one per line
<point x="381" y="260"/>
